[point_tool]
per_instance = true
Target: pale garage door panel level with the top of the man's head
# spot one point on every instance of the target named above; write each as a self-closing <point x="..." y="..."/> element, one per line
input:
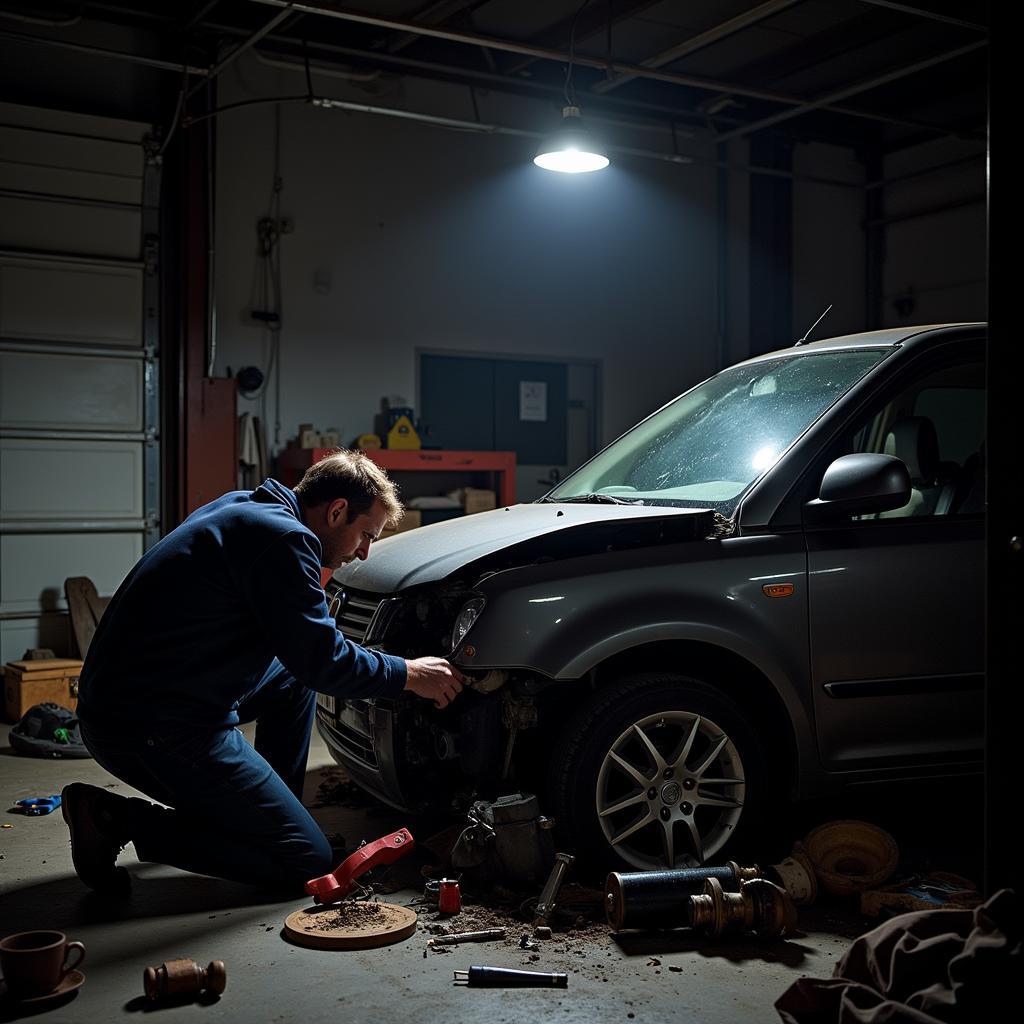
<point x="47" y="482"/>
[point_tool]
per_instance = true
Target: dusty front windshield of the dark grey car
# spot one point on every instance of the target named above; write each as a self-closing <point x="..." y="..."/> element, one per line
<point x="705" y="449"/>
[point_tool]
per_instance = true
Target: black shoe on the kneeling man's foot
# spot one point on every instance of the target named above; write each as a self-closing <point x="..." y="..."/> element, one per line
<point x="98" y="836"/>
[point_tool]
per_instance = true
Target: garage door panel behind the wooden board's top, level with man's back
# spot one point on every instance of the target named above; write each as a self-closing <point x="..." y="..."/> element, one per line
<point x="35" y="567"/>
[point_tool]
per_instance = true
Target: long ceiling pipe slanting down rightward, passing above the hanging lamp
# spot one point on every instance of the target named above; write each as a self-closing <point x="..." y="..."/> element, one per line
<point x="509" y="47"/>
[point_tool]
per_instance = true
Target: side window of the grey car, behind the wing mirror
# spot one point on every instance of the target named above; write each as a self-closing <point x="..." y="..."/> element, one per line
<point x="936" y="425"/>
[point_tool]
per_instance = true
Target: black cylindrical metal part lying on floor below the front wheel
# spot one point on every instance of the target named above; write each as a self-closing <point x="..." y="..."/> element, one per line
<point x="661" y="900"/>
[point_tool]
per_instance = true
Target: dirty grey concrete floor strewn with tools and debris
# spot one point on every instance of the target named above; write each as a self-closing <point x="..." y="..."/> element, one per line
<point x="646" y="977"/>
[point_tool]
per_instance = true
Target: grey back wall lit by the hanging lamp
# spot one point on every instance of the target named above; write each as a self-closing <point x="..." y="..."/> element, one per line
<point x="410" y="236"/>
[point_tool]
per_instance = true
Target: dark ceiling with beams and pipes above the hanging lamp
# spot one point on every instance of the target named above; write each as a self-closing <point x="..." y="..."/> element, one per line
<point x="870" y="74"/>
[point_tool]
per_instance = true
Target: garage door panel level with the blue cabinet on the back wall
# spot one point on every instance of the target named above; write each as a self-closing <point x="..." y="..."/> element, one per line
<point x="70" y="393"/>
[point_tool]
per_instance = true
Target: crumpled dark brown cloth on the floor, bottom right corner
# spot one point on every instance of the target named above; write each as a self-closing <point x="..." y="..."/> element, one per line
<point x="931" y="967"/>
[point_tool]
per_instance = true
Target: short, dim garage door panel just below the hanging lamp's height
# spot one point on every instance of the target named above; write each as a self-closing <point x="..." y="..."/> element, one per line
<point x="41" y="226"/>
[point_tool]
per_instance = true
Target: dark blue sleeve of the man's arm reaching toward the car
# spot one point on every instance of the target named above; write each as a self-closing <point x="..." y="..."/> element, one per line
<point x="290" y="605"/>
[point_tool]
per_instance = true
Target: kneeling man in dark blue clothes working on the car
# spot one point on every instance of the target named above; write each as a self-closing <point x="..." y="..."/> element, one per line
<point x="225" y="622"/>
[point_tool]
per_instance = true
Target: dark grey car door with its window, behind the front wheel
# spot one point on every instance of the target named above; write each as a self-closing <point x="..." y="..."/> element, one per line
<point x="897" y="600"/>
